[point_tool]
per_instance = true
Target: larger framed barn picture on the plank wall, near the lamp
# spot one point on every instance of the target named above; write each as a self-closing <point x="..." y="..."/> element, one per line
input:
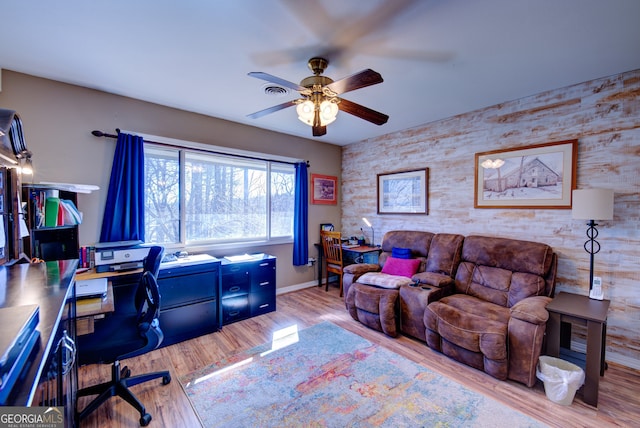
<point x="538" y="176"/>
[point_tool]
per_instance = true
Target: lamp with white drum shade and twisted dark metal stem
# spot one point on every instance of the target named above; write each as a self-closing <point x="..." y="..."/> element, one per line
<point x="592" y="205"/>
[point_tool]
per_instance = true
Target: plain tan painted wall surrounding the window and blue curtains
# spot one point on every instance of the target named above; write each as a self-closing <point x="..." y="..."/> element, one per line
<point x="58" y="119"/>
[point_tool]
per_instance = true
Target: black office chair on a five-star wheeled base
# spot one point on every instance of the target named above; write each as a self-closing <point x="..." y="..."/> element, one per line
<point x="141" y="333"/>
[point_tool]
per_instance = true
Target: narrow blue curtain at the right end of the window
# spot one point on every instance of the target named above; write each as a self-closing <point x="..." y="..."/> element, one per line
<point x="301" y="217"/>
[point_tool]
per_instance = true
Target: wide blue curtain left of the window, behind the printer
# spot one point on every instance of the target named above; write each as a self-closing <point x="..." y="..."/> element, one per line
<point x="123" y="218"/>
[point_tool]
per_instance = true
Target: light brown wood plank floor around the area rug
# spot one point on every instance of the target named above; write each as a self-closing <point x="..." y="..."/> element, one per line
<point x="619" y="399"/>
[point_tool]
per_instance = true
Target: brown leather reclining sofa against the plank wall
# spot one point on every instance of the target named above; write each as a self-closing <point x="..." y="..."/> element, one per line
<point x="479" y="300"/>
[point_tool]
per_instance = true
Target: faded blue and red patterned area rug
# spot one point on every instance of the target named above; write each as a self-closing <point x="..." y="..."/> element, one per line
<point x="325" y="376"/>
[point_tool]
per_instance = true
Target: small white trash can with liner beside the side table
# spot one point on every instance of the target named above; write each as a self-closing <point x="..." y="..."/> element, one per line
<point x="561" y="379"/>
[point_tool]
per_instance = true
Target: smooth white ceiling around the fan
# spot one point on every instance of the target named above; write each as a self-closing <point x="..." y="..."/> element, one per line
<point x="438" y="58"/>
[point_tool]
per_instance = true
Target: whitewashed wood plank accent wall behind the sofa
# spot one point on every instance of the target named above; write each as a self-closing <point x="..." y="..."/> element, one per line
<point x="603" y="114"/>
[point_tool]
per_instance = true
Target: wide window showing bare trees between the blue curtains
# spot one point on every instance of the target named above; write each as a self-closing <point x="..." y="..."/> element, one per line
<point x="194" y="198"/>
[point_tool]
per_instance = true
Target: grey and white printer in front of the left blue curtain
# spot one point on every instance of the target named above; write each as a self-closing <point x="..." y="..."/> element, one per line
<point x="120" y="256"/>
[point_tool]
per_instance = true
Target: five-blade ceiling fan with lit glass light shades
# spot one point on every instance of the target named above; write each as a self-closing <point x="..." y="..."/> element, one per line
<point x="320" y="103"/>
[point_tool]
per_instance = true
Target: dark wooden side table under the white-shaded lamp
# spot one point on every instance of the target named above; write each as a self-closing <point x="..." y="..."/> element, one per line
<point x="581" y="310"/>
